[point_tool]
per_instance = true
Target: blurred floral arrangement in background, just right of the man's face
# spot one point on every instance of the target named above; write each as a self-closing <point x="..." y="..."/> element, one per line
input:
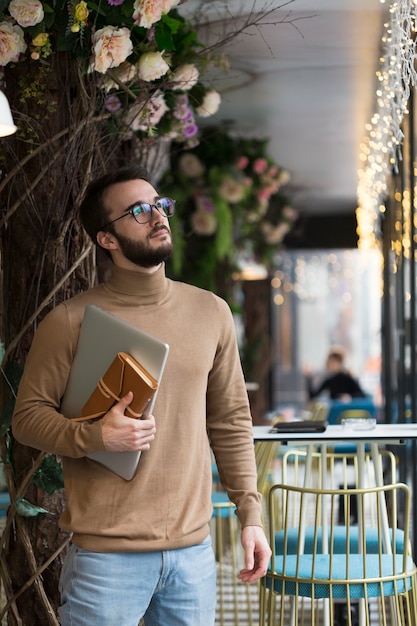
<point x="230" y="205"/>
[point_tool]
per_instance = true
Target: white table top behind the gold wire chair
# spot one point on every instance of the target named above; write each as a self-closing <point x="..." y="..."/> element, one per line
<point x="382" y="433"/>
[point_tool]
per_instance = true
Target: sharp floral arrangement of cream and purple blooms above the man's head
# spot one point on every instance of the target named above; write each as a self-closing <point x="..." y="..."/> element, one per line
<point x="146" y="58"/>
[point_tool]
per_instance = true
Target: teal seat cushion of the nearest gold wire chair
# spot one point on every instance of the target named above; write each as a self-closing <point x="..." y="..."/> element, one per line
<point x="298" y="582"/>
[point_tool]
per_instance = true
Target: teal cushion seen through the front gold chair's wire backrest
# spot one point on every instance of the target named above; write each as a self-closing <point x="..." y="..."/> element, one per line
<point x="339" y="540"/>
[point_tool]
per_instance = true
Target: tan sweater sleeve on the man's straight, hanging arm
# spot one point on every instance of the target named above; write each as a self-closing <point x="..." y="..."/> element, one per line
<point x="229" y="424"/>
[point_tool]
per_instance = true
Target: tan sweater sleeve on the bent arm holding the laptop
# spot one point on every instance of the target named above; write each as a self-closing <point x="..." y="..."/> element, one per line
<point x="37" y="421"/>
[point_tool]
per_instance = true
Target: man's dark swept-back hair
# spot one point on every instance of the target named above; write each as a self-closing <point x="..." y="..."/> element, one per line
<point x="92" y="213"/>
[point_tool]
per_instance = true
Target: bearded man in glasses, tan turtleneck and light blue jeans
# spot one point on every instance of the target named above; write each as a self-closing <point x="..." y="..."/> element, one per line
<point x="142" y="547"/>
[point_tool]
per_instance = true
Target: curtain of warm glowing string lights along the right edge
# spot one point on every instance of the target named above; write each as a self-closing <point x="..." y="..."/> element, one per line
<point x="381" y="148"/>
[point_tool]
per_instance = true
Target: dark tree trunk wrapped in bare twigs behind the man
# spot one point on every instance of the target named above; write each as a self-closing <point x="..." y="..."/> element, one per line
<point x="46" y="258"/>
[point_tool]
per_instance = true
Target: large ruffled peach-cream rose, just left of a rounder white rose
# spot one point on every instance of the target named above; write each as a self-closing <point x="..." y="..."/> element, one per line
<point x="111" y="46"/>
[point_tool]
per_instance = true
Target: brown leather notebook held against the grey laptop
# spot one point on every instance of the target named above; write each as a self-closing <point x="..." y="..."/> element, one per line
<point x="124" y="374"/>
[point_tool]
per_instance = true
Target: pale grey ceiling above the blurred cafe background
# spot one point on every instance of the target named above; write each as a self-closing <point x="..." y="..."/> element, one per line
<point x="308" y="84"/>
